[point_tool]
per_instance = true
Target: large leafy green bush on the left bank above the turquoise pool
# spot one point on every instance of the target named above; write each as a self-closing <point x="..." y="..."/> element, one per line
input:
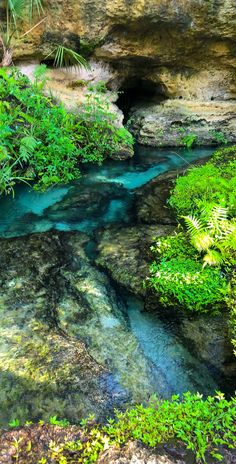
<point x="40" y="141"/>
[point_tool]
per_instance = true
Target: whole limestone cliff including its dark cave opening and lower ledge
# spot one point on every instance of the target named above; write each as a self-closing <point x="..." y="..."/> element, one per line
<point x="177" y="56"/>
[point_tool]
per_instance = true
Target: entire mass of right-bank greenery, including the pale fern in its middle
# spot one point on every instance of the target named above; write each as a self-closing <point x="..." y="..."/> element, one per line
<point x="205" y="198"/>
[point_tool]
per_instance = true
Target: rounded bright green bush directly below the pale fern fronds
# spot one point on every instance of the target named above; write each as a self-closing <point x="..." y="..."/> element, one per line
<point x="178" y="277"/>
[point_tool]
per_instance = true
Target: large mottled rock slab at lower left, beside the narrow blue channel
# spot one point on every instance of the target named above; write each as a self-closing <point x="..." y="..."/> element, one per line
<point x="65" y="348"/>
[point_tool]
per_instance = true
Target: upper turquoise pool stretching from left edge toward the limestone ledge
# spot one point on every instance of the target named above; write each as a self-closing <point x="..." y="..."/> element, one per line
<point x="103" y="196"/>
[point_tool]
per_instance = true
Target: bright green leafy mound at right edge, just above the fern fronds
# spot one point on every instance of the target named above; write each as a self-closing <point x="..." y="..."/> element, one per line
<point x="214" y="182"/>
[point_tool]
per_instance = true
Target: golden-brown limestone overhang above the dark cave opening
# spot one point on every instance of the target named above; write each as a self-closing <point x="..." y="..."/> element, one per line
<point x="186" y="47"/>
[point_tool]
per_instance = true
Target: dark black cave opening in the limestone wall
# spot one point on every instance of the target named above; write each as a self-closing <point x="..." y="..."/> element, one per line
<point x="137" y="91"/>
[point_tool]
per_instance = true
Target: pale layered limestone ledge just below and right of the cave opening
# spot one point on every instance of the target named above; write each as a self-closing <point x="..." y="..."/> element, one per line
<point x="175" y="121"/>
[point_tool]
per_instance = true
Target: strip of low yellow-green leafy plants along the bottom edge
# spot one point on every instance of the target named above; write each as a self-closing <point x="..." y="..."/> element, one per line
<point x="203" y="426"/>
